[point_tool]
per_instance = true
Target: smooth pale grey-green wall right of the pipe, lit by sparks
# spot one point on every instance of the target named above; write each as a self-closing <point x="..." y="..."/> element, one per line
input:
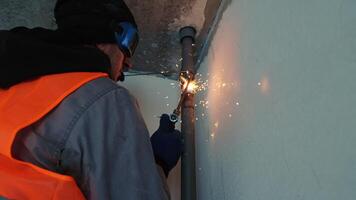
<point x="278" y="119"/>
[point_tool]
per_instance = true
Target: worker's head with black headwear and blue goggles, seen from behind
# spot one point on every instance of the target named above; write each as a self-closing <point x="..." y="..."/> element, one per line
<point x="107" y="24"/>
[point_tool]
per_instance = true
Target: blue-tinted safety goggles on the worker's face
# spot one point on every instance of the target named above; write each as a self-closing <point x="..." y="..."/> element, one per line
<point x="127" y="38"/>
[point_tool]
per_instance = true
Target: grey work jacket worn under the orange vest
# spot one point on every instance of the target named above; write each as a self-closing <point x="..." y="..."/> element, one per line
<point x="98" y="136"/>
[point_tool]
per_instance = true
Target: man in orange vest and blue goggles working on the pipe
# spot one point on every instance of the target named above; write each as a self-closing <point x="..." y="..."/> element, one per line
<point x="77" y="135"/>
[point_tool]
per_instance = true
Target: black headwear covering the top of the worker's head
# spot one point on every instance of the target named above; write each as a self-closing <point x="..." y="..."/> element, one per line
<point x="92" y="21"/>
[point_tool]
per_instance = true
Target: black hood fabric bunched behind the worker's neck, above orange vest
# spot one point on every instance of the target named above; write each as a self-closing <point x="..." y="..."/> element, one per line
<point x="28" y="53"/>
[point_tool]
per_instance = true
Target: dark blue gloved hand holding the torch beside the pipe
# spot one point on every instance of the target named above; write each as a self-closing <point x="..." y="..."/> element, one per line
<point x="167" y="144"/>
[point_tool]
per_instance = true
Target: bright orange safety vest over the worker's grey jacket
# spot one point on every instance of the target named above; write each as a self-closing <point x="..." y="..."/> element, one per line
<point x="21" y="106"/>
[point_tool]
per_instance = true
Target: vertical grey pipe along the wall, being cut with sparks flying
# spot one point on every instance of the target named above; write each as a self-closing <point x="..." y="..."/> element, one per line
<point x="188" y="182"/>
